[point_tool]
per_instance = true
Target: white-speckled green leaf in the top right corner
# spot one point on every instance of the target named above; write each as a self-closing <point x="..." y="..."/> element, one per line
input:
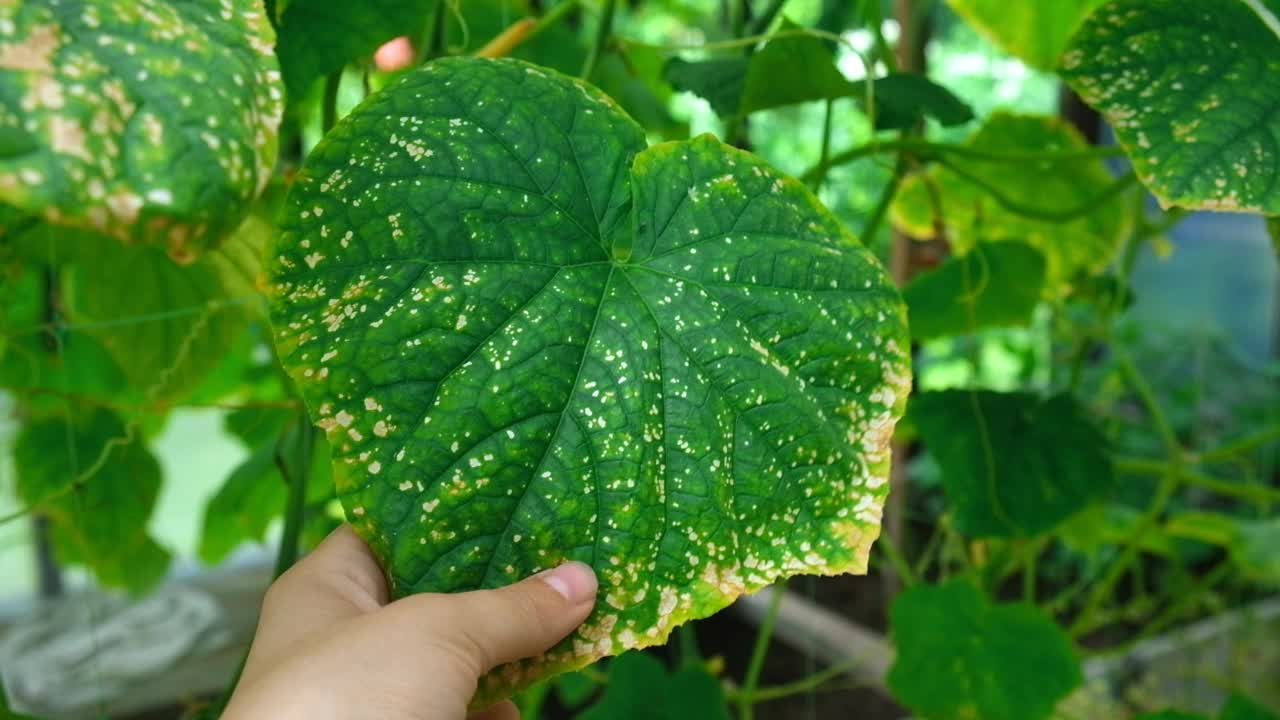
<point x="1190" y="89"/>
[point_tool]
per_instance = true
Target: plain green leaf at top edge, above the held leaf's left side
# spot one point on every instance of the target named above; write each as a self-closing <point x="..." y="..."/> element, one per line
<point x="319" y="38"/>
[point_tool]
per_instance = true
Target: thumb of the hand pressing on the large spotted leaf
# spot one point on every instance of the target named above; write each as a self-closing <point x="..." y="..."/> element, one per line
<point x="522" y="621"/>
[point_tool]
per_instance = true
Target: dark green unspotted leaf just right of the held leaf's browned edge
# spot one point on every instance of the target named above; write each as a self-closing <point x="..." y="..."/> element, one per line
<point x="1013" y="464"/>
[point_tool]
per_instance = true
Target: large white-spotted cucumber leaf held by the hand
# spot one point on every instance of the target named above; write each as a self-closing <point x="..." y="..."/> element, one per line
<point x="532" y="339"/>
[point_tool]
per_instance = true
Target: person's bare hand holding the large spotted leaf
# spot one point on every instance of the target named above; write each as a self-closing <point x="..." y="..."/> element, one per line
<point x="331" y="646"/>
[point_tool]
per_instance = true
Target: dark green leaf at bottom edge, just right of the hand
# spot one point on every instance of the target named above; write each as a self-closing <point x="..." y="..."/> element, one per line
<point x="641" y="689"/>
